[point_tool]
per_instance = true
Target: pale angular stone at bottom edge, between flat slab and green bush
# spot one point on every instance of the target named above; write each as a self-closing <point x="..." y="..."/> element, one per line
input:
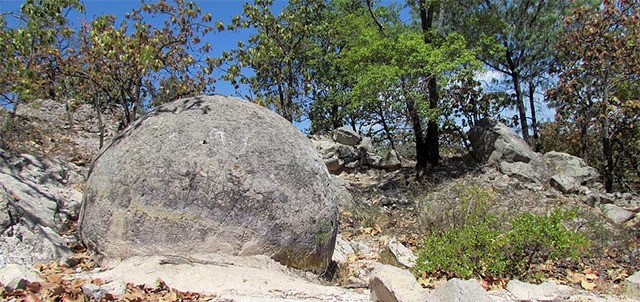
<point x="391" y="284"/>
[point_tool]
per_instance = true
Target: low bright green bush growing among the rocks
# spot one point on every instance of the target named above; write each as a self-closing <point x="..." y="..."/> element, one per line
<point x="481" y="244"/>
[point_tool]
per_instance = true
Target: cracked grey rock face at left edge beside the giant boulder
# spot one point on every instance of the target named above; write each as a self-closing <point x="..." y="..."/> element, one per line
<point x="36" y="204"/>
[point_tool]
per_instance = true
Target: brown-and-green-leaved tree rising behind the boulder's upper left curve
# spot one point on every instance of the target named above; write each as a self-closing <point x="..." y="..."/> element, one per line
<point x="135" y="65"/>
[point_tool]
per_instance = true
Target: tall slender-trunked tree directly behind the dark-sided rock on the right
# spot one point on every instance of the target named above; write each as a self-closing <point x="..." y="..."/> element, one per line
<point x="517" y="39"/>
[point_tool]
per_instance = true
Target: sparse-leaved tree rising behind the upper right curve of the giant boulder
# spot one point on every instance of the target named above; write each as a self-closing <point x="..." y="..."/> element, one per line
<point x="277" y="53"/>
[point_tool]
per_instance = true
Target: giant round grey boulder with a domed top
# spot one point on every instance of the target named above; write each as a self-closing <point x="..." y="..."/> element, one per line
<point x="211" y="174"/>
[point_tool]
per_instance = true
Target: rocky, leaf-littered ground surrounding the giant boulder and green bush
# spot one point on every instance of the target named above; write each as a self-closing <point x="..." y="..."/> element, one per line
<point x="383" y="217"/>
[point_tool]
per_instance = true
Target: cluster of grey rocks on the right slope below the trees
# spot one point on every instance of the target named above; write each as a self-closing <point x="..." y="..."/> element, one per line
<point x="495" y="144"/>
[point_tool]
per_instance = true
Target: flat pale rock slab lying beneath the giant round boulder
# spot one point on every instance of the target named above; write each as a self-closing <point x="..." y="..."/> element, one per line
<point x="230" y="278"/>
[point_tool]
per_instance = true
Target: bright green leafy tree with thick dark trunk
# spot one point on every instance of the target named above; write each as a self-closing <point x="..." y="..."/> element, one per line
<point x="398" y="66"/>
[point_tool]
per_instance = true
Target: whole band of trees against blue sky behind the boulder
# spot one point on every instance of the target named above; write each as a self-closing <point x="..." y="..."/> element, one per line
<point x="407" y="74"/>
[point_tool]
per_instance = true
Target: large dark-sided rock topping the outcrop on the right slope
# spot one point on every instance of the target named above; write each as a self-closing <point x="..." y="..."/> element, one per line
<point x="494" y="142"/>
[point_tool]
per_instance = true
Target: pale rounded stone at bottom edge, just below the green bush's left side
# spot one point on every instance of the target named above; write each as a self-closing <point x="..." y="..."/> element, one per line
<point x="456" y="290"/>
